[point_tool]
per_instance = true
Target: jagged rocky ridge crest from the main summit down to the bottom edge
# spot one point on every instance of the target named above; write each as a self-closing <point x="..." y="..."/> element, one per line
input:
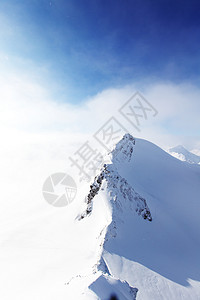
<point x="122" y="197"/>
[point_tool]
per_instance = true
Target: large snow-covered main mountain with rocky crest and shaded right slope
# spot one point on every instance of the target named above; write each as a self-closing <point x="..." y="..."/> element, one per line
<point x="150" y="240"/>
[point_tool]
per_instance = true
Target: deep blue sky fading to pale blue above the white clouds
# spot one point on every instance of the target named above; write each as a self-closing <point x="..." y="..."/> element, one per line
<point x="78" y="48"/>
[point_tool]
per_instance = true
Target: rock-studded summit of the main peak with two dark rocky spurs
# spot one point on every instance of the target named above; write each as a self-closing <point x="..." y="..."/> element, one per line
<point x="120" y="193"/>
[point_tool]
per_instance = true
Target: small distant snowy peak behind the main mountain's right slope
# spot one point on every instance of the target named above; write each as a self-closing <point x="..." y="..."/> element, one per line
<point x="183" y="154"/>
